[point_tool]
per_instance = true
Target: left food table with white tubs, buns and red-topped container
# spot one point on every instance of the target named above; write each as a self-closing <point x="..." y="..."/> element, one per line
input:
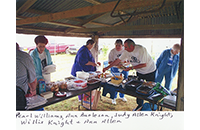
<point x="53" y="92"/>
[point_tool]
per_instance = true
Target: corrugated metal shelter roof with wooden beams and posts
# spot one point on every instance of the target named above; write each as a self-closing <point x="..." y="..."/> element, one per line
<point x="105" y="19"/>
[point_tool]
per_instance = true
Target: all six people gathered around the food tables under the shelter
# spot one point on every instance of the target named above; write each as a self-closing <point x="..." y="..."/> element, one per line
<point x="29" y="67"/>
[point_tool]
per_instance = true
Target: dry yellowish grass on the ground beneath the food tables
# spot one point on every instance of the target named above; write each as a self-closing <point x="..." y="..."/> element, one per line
<point x="103" y="105"/>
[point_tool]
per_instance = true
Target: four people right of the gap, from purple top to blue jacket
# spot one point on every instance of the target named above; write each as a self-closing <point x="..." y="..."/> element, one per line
<point x="140" y="60"/>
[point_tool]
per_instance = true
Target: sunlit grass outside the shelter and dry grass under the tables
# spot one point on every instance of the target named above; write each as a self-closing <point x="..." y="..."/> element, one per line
<point x="64" y="64"/>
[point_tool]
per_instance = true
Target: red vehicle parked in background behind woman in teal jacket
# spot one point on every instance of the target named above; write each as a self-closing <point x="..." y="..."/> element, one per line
<point x="54" y="48"/>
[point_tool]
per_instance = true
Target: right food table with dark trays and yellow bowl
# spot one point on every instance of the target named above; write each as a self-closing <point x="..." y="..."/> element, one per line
<point x="152" y="92"/>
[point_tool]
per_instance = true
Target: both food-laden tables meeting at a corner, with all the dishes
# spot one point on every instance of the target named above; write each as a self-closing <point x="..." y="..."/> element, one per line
<point x="86" y="82"/>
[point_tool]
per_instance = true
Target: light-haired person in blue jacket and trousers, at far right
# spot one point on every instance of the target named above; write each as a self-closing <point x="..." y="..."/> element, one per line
<point x="167" y="65"/>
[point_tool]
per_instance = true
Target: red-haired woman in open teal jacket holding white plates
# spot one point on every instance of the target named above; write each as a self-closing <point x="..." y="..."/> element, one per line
<point x="41" y="56"/>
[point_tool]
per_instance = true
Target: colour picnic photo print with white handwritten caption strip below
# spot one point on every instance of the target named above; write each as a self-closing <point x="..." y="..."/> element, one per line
<point x="103" y="63"/>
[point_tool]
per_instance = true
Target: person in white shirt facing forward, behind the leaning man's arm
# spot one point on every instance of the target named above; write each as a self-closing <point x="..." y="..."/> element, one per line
<point x="114" y="54"/>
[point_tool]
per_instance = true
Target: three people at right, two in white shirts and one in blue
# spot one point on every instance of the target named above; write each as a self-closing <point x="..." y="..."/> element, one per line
<point x="140" y="60"/>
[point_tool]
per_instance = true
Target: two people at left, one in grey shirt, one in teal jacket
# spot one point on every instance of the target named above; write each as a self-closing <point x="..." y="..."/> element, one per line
<point x="29" y="70"/>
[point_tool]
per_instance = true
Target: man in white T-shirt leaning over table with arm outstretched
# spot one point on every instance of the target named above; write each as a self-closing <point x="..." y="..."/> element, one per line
<point x="141" y="61"/>
